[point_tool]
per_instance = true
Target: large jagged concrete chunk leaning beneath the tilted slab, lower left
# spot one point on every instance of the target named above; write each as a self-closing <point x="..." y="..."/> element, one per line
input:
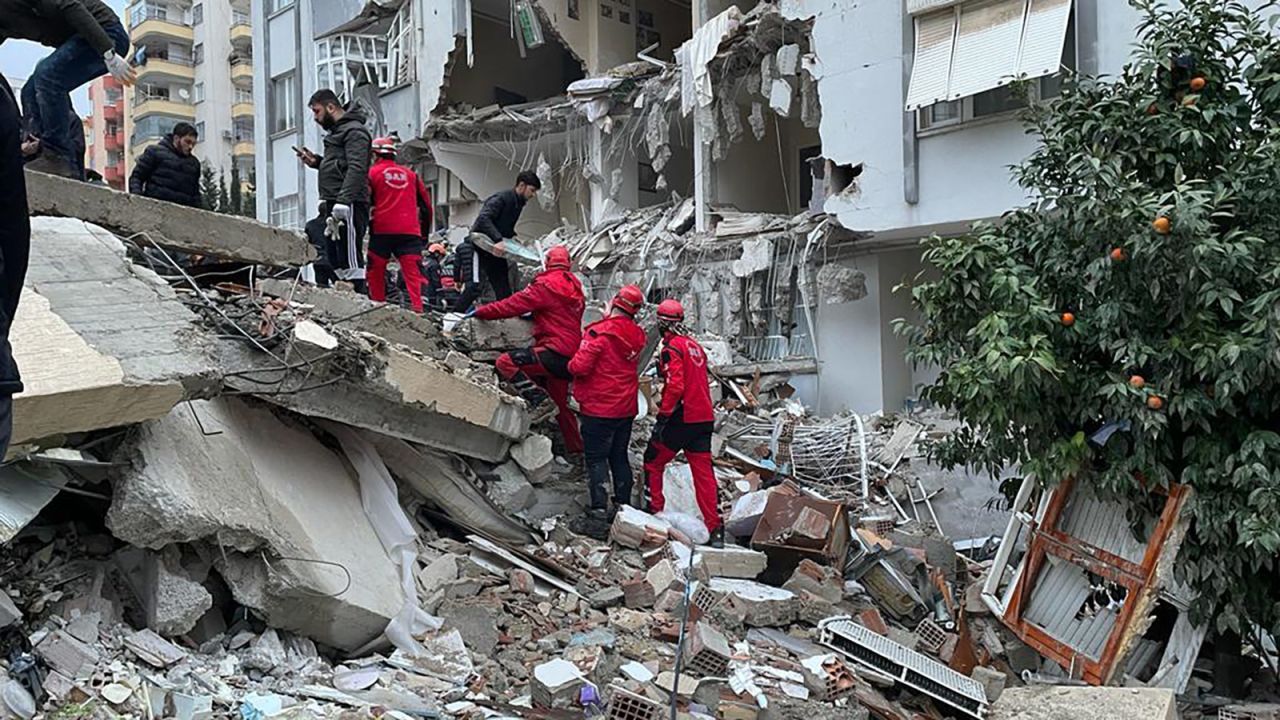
<point x="299" y="546"/>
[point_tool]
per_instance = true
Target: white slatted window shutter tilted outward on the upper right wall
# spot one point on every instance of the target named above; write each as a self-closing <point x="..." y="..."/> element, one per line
<point x="982" y="45"/>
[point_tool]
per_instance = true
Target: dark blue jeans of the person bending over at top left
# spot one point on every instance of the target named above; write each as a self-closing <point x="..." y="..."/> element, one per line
<point x="47" y="95"/>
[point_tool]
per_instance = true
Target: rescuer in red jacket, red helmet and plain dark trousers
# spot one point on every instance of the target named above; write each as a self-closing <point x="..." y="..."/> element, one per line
<point x="607" y="386"/>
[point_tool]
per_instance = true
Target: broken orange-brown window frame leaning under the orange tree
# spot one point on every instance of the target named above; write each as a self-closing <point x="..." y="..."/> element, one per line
<point x="1046" y="540"/>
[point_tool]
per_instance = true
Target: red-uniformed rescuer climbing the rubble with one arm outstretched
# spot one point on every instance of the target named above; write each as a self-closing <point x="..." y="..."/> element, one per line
<point x="556" y="302"/>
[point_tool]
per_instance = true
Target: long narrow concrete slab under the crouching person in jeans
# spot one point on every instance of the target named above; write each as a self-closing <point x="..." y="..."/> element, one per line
<point x="164" y="224"/>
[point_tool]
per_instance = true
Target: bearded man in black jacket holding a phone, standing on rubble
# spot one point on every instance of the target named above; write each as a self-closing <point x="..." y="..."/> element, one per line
<point x="344" y="192"/>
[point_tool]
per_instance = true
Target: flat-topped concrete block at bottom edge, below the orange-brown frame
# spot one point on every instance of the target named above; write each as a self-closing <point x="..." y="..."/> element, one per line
<point x="1049" y="703"/>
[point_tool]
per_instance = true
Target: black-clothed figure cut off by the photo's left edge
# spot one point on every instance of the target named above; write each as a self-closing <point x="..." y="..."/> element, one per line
<point x="15" y="249"/>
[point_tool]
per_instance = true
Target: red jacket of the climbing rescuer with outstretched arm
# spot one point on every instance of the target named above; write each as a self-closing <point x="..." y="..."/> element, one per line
<point x="556" y="300"/>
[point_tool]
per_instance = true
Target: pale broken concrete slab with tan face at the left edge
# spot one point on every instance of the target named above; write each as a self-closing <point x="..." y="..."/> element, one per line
<point x="100" y="343"/>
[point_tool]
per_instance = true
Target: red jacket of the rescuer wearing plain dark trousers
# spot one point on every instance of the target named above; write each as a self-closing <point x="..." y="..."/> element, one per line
<point x="606" y="379"/>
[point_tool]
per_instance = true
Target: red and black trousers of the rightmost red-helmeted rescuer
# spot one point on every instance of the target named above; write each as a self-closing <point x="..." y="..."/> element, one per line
<point x="696" y="440"/>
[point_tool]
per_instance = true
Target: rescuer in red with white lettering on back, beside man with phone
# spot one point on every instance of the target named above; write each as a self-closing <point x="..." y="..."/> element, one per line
<point x="396" y="230"/>
